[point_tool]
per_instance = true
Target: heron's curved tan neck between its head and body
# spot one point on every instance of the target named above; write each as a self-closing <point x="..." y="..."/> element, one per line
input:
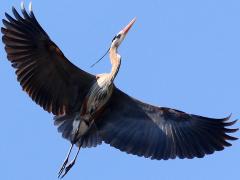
<point x="115" y="61"/>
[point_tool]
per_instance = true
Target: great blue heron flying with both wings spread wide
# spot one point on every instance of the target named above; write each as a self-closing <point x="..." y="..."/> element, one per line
<point x="89" y="109"/>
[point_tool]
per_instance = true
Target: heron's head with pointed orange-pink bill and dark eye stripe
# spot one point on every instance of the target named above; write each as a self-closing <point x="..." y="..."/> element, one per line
<point x="117" y="40"/>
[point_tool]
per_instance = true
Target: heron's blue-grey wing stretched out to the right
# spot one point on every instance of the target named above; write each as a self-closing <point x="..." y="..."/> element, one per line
<point x="158" y="132"/>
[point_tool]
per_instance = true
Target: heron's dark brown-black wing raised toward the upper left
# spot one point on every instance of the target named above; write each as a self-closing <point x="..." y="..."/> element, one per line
<point x="43" y="71"/>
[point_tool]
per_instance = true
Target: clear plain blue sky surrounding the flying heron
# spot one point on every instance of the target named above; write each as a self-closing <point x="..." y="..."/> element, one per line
<point x="180" y="54"/>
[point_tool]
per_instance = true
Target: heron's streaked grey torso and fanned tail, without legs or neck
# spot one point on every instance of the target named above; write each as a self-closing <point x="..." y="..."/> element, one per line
<point x="82" y="123"/>
